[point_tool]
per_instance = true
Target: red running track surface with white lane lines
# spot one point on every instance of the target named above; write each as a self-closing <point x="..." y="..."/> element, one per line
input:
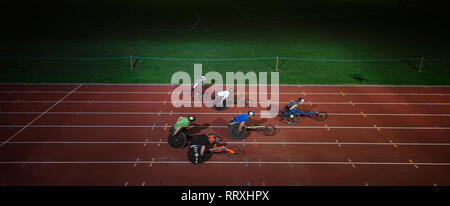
<point x="116" y="135"/>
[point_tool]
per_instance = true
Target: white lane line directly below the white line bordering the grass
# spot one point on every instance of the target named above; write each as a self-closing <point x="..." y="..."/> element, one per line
<point x="290" y="93"/>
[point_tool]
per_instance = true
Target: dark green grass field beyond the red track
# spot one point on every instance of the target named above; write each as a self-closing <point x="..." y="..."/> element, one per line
<point x="230" y="29"/>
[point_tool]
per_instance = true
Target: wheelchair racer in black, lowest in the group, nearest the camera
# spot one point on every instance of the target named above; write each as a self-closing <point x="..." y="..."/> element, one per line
<point x="198" y="146"/>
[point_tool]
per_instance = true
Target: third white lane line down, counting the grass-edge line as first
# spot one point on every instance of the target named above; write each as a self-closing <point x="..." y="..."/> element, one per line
<point x="161" y="102"/>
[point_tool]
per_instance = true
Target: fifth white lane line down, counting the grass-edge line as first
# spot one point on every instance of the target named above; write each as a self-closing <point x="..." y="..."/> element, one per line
<point x="218" y="126"/>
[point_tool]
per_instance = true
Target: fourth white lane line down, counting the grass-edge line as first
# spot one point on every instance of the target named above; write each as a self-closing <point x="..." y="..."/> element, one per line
<point x="216" y="113"/>
